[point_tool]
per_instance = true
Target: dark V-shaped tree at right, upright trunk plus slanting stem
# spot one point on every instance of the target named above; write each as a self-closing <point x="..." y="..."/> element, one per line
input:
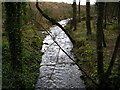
<point x="104" y="81"/>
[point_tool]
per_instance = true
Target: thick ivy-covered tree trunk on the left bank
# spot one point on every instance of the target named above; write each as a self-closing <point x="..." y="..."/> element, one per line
<point x="12" y="27"/>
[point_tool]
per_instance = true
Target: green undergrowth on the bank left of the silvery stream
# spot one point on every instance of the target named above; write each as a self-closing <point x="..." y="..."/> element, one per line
<point x="31" y="58"/>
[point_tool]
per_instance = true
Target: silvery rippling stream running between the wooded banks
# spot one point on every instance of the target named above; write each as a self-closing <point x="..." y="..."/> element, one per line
<point x="57" y="70"/>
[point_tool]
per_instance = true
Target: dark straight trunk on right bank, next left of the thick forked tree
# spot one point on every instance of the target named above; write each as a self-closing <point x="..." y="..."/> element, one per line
<point x="88" y="25"/>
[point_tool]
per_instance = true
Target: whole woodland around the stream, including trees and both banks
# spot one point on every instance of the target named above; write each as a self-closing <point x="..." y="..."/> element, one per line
<point x="94" y="31"/>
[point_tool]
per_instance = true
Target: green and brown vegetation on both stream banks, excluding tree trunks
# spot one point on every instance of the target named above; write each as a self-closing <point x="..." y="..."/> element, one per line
<point x="84" y="45"/>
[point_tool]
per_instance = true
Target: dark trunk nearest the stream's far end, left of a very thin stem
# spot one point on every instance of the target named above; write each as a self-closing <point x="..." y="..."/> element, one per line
<point x="74" y="14"/>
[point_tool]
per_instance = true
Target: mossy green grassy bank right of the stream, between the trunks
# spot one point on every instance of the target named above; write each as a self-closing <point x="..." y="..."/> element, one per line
<point x="85" y="51"/>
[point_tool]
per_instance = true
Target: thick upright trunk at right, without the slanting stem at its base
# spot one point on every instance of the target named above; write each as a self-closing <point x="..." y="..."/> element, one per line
<point x="99" y="33"/>
